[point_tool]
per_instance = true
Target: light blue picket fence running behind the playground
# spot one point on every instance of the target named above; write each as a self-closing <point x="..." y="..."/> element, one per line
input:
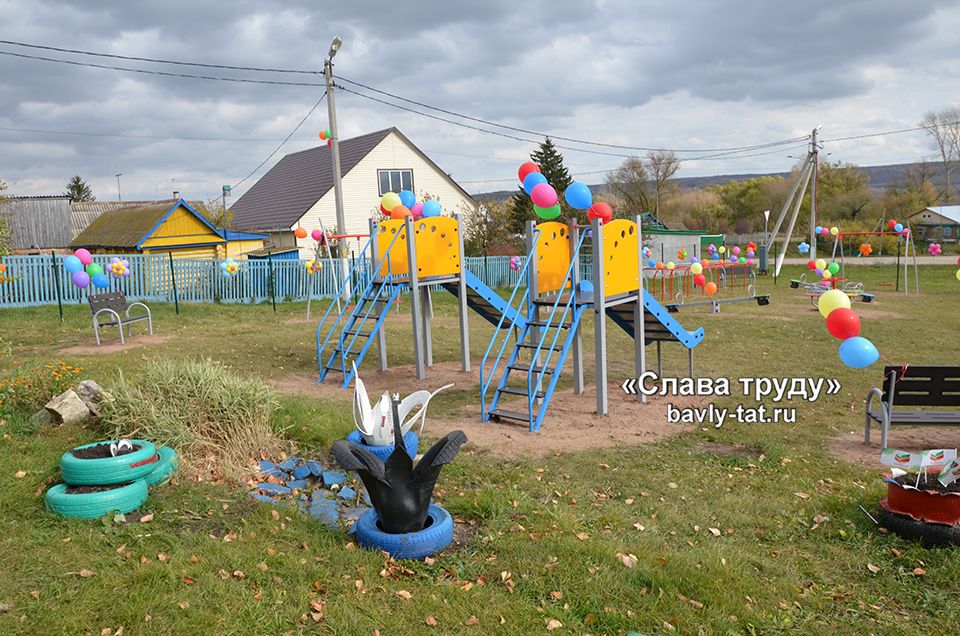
<point x="33" y="281"/>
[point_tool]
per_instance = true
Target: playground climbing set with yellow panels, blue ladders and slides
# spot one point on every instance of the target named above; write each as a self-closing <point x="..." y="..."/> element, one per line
<point x="534" y="331"/>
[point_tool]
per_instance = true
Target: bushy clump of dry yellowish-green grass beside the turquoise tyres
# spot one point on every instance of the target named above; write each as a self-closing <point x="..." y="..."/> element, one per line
<point x="217" y="419"/>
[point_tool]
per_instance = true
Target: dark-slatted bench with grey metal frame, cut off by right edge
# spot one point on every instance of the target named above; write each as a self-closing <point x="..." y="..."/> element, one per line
<point x="913" y="386"/>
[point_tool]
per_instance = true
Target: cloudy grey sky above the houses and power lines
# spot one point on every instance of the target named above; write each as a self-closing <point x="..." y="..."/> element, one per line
<point x="695" y="75"/>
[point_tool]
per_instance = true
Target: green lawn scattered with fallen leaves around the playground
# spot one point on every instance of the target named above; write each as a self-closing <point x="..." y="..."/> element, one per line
<point x="545" y="532"/>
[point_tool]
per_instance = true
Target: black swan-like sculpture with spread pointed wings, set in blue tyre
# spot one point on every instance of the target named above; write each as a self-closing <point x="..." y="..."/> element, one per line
<point x="400" y="493"/>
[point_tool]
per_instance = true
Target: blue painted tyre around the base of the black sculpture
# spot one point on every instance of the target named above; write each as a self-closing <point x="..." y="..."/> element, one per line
<point x="410" y="545"/>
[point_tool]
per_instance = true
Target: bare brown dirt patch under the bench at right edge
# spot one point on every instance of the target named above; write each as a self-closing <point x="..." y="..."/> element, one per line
<point x="850" y="447"/>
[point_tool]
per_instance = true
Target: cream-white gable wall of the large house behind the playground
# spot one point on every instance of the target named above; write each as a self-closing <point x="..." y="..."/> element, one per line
<point x="361" y="197"/>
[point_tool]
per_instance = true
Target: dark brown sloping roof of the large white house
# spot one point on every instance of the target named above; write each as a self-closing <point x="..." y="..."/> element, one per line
<point x="291" y="187"/>
